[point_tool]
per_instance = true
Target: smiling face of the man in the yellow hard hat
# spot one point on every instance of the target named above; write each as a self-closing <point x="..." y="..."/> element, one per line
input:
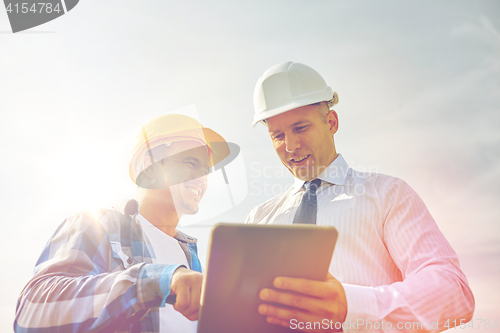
<point x="186" y="168"/>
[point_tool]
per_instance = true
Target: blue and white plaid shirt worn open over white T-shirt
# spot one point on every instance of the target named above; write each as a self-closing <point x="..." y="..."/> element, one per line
<point x="96" y="275"/>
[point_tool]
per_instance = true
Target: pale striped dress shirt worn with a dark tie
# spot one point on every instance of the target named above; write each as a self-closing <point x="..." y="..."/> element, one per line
<point x="395" y="265"/>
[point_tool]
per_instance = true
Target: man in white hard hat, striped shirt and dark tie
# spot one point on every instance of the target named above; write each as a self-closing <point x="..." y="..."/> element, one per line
<point x="392" y="269"/>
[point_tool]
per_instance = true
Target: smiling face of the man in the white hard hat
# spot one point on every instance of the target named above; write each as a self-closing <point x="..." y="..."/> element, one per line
<point x="303" y="140"/>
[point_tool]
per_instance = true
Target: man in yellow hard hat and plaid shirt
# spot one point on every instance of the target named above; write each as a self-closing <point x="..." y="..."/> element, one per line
<point x="106" y="271"/>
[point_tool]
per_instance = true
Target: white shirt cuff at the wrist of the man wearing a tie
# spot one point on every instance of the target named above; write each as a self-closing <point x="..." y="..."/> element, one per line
<point x="362" y="307"/>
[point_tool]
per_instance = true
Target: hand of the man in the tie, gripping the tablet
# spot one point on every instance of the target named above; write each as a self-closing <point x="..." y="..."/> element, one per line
<point x="312" y="301"/>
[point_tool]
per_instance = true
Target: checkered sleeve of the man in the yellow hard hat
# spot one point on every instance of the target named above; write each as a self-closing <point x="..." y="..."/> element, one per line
<point x="78" y="286"/>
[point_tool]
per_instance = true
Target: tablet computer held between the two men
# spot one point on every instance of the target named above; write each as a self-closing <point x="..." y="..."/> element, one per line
<point x="244" y="258"/>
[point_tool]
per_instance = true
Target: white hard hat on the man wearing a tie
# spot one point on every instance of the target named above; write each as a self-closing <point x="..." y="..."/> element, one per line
<point x="288" y="86"/>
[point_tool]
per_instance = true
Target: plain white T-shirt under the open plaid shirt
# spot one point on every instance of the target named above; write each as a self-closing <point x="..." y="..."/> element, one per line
<point x="166" y="250"/>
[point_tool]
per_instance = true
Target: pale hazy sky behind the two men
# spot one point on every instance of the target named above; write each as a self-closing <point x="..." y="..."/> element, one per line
<point x="418" y="83"/>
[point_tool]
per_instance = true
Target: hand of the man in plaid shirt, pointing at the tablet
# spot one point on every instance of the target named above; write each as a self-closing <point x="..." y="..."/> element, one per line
<point x="186" y="285"/>
